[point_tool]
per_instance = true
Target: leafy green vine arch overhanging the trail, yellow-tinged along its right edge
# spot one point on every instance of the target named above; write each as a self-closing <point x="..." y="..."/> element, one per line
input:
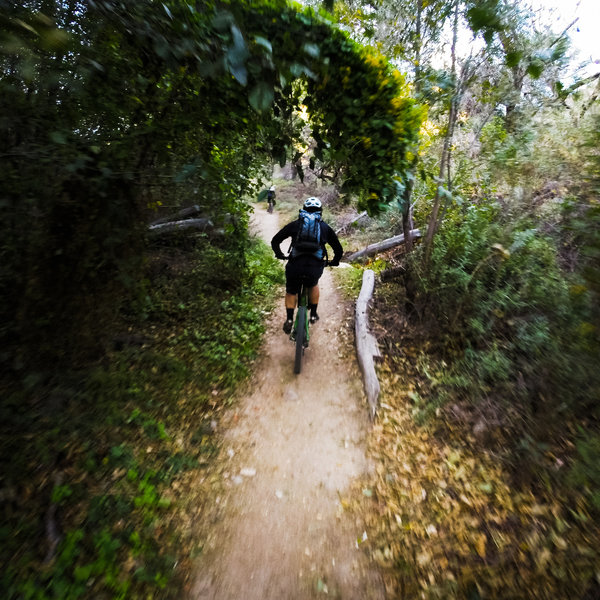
<point x="362" y="118"/>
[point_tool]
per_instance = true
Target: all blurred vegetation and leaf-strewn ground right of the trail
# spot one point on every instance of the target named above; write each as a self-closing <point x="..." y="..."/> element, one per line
<point x="488" y="431"/>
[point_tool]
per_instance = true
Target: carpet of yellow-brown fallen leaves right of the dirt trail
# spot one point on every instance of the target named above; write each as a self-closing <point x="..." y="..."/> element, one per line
<point x="444" y="521"/>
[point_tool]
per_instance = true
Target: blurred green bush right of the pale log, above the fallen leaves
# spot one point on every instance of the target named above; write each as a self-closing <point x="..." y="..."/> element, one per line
<point x="506" y="315"/>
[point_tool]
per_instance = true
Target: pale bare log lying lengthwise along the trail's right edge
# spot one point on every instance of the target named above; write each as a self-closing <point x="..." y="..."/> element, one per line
<point x="366" y="344"/>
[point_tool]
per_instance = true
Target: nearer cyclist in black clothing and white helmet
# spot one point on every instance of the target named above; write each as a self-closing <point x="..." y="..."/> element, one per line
<point x="307" y="266"/>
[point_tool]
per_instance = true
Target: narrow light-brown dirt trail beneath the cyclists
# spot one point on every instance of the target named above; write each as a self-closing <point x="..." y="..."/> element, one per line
<point x="295" y="444"/>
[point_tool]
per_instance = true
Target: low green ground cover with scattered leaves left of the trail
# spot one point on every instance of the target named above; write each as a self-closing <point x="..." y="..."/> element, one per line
<point x="124" y="432"/>
